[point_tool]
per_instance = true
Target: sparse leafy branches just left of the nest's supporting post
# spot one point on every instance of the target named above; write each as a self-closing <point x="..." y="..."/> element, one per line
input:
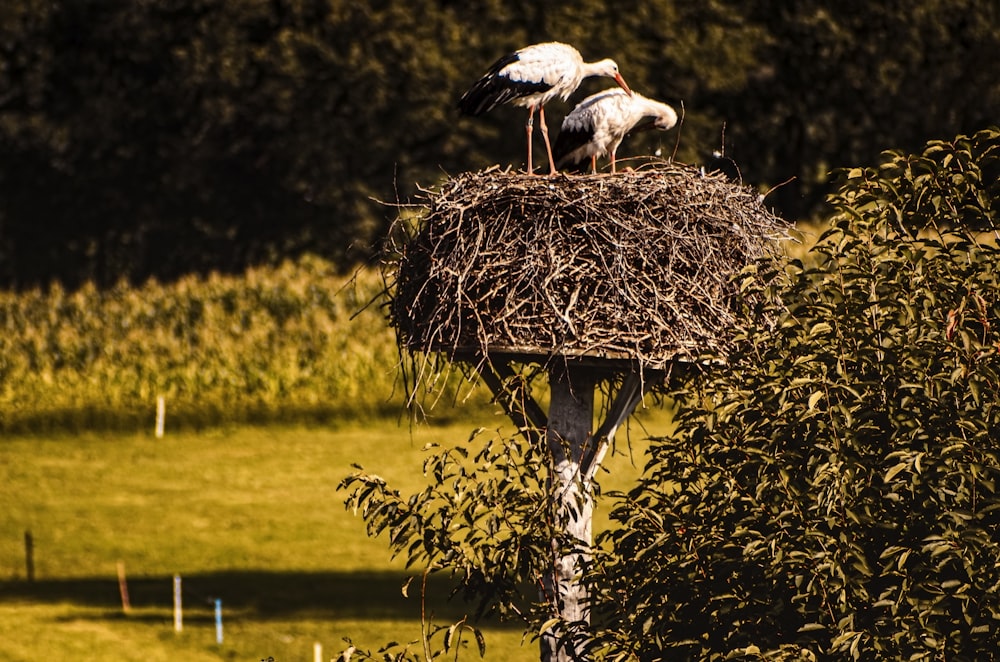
<point x="483" y="519"/>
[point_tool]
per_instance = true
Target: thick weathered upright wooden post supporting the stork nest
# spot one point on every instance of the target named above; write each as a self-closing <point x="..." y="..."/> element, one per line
<point x="571" y="413"/>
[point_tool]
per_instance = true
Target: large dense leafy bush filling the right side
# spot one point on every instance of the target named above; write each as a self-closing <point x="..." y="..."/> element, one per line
<point x="832" y="493"/>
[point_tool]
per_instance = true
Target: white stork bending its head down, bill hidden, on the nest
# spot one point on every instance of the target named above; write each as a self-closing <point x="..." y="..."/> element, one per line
<point x="599" y="123"/>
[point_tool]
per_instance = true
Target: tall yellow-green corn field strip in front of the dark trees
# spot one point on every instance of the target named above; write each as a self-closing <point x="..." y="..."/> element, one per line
<point x="273" y="344"/>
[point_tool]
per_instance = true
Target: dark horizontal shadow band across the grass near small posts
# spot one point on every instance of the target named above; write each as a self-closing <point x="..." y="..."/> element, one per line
<point x="257" y="595"/>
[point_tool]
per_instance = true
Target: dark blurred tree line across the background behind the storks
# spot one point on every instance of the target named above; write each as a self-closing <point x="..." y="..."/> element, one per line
<point x="147" y="139"/>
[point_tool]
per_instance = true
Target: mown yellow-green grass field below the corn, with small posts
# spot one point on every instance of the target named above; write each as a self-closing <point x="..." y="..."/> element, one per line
<point x="250" y="516"/>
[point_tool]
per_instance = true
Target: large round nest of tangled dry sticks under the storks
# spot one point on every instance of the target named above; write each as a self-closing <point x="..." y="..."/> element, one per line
<point x="634" y="266"/>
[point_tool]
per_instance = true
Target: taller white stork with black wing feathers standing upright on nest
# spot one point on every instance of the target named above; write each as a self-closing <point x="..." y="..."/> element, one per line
<point x="531" y="77"/>
